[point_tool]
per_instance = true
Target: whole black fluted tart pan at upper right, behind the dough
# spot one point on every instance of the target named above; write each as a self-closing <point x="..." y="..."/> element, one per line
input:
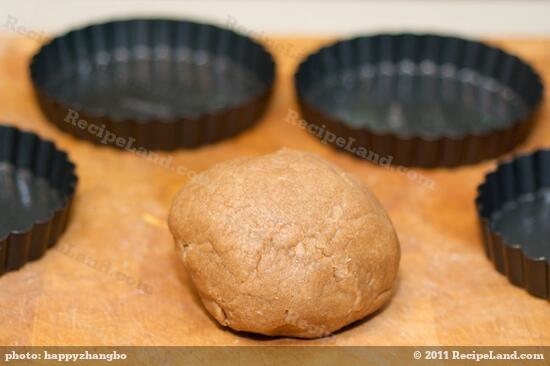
<point x="419" y="100"/>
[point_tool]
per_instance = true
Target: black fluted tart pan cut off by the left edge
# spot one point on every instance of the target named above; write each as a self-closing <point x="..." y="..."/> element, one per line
<point x="37" y="184"/>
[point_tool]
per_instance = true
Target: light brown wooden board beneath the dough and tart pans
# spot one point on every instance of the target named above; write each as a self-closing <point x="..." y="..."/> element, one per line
<point x="114" y="277"/>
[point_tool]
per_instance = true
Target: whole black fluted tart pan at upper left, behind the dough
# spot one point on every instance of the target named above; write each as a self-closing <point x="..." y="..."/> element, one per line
<point x="152" y="83"/>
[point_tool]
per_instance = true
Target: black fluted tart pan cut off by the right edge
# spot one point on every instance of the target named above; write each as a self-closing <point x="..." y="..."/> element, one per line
<point x="514" y="208"/>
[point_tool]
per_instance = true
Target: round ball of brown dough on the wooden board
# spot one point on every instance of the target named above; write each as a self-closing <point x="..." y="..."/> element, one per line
<point x="285" y="244"/>
